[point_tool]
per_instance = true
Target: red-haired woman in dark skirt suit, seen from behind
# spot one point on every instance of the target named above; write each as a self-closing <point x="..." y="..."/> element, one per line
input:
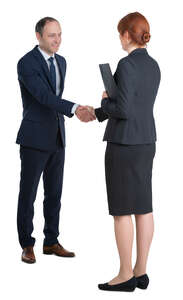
<point x="131" y="138"/>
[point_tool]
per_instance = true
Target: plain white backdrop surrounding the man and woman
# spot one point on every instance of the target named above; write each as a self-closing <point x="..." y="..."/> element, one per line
<point x="90" y="37"/>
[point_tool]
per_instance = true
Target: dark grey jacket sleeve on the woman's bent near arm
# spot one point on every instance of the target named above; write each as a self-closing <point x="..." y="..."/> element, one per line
<point x="120" y="107"/>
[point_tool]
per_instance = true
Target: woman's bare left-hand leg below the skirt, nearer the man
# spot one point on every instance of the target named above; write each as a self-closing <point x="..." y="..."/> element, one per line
<point x="124" y="234"/>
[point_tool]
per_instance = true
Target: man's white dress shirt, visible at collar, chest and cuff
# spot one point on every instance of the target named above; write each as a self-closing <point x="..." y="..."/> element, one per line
<point x="46" y="57"/>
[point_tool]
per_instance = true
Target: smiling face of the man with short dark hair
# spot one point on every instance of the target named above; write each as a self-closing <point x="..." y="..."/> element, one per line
<point x="51" y="37"/>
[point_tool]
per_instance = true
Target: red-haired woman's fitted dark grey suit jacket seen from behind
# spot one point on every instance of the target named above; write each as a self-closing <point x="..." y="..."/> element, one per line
<point x="130" y="115"/>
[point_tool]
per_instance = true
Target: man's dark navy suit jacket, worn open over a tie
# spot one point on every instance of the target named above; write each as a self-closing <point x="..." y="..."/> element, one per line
<point x="43" y="111"/>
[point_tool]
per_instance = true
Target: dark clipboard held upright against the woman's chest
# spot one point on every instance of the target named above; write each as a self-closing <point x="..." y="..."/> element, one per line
<point x="108" y="80"/>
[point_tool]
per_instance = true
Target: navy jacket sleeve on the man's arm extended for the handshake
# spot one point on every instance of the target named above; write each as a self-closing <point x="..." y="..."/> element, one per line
<point x="36" y="86"/>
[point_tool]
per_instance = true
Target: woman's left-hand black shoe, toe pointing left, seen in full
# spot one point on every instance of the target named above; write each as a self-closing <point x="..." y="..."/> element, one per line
<point x="126" y="286"/>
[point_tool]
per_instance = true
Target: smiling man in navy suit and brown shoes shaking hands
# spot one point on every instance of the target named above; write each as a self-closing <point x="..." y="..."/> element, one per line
<point x="41" y="136"/>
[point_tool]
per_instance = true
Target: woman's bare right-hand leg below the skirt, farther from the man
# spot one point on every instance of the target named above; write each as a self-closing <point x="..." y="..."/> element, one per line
<point x="144" y="234"/>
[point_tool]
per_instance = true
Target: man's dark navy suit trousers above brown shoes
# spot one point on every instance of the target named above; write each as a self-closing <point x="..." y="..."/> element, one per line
<point x="34" y="163"/>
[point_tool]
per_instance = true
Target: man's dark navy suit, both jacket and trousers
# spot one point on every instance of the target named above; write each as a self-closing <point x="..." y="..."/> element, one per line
<point x="42" y="144"/>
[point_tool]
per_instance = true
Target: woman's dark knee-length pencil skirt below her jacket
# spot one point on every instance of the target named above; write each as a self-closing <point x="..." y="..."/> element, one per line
<point x="128" y="173"/>
